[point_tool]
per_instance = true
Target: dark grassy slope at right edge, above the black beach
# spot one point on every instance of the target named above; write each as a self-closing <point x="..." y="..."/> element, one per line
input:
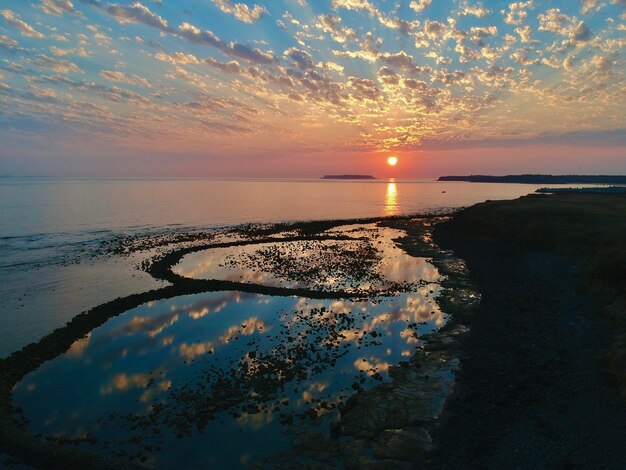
<point x="588" y="227"/>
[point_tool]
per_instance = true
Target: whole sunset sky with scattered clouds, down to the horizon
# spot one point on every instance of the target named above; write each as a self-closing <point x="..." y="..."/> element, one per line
<point x="301" y="88"/>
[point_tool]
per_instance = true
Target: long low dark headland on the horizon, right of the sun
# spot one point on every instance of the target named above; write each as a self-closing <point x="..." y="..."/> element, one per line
<point x="540" y="179"/>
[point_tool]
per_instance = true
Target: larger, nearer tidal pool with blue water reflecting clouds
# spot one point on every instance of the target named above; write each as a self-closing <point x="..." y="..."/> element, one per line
<point x="219" y="378"/>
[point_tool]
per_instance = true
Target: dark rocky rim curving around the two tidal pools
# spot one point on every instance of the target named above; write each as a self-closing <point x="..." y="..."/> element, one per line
<point x="416" y="416"/>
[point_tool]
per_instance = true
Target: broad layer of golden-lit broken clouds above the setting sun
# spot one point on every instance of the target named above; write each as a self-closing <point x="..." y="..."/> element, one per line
<point x="366" y="75"/>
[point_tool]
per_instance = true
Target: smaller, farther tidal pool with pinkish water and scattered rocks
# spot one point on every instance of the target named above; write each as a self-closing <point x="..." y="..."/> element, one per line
<point x="370" y="260"/>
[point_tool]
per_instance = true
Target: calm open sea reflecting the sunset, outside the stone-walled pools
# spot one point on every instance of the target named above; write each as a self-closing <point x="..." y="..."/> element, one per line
<point x="48" y="228"/>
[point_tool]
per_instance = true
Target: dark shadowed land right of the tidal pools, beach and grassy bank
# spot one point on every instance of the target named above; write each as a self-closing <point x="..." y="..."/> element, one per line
<point x="539" y="386"/>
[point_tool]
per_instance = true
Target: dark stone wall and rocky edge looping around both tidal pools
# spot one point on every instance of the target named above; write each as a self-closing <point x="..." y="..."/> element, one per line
<point x="16" y="440"/>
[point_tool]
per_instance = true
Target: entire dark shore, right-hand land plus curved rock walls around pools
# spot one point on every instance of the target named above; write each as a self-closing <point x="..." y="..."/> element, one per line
<point x="530" y="392"/>
